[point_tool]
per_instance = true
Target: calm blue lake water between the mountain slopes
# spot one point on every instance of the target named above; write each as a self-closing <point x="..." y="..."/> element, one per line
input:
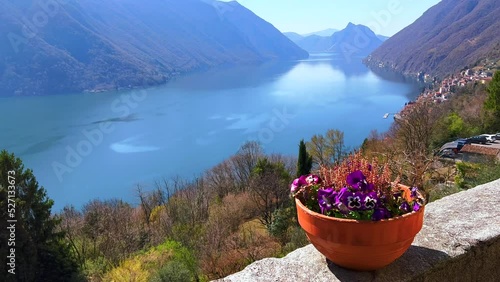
<point x="88" y="146"/>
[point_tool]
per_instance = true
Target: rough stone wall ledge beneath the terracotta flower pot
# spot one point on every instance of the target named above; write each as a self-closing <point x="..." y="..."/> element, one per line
<point x="460" y="241"/>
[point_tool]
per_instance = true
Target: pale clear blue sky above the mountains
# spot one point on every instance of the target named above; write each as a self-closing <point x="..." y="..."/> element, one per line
<point x="385" y="17"/>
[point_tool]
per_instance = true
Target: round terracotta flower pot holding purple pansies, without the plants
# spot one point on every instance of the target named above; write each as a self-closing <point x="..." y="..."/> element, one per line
<point x="360" y="245"/>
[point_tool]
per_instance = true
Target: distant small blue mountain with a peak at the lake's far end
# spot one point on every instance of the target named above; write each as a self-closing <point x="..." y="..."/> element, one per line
<point x="356" y="40"/>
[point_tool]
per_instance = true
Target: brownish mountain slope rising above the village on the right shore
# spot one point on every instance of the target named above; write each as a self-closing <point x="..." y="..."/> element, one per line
<point x="448" y="37"/>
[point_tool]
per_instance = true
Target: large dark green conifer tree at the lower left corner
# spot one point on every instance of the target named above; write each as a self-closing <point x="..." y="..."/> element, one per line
<point x="40" y="254"/>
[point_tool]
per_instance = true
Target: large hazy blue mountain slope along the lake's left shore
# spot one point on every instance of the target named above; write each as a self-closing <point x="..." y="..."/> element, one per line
<point x="73" y="46"/>
